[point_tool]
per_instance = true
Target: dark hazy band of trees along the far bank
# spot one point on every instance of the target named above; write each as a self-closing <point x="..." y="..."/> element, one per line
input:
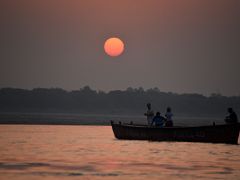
<point x="129" y="101"/>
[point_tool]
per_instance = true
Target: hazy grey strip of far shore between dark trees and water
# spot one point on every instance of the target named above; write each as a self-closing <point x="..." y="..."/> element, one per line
<point x="18" y="118"/>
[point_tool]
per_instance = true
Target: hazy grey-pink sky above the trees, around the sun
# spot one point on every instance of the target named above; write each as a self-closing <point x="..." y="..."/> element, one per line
<point x="190" y="46"/>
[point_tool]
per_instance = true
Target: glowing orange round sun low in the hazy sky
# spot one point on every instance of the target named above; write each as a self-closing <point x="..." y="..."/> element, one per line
<point x="114" y="46"/>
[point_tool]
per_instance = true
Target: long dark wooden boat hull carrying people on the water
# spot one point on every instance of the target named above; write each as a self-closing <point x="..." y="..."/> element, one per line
<point x="227" y="133"/>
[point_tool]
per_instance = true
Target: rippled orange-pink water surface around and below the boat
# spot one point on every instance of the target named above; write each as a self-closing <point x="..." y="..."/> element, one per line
<point x="92" y="152"/>
